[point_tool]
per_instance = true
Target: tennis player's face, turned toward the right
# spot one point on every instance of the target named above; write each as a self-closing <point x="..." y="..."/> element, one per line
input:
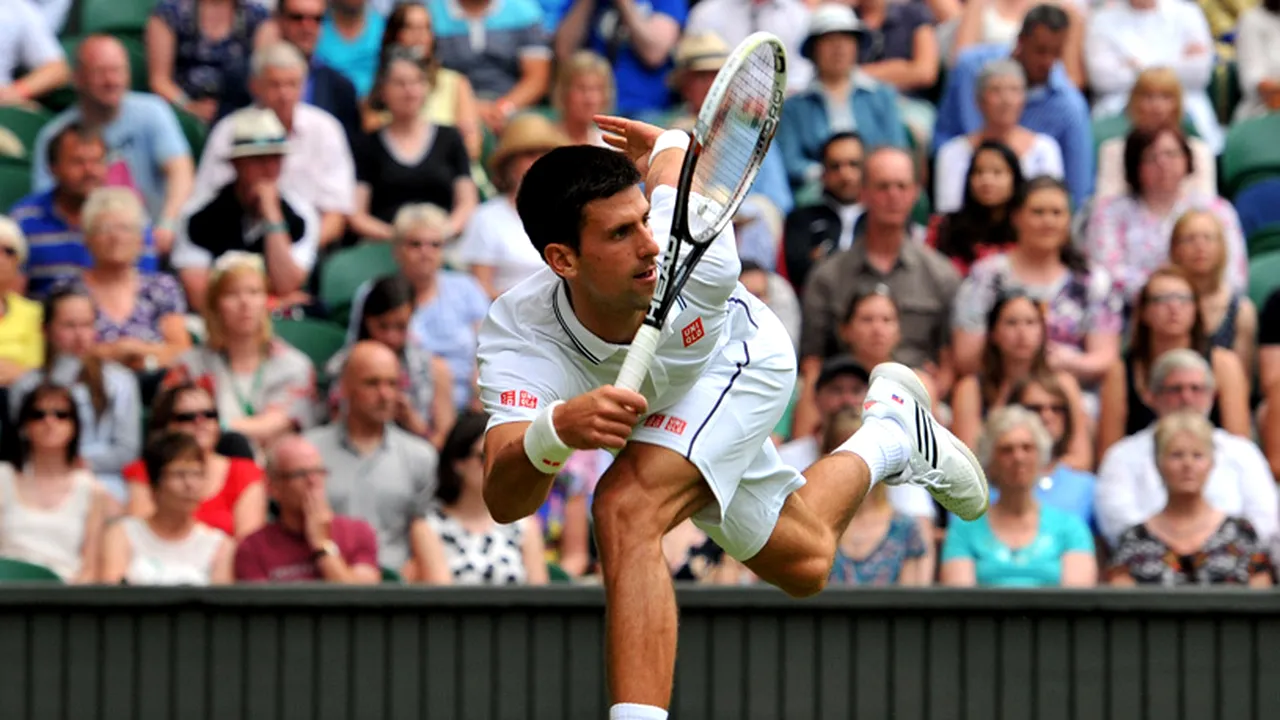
<point x="618" y="261"/>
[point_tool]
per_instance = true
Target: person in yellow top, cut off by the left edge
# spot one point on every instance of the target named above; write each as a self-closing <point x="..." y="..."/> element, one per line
<point x="22" y="343"/>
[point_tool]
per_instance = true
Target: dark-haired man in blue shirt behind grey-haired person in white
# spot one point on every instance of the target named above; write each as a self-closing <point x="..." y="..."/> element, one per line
<point x="1054" y="106"/>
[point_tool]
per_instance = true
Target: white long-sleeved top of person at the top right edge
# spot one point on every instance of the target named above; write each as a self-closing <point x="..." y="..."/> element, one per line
<point x="1127" y="38"/>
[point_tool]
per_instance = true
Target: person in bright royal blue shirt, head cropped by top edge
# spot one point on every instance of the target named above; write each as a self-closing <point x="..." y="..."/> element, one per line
<point x="638" y="38"/>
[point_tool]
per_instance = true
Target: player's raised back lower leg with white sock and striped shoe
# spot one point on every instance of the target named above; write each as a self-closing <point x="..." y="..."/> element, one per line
<point x="899" y="443"/>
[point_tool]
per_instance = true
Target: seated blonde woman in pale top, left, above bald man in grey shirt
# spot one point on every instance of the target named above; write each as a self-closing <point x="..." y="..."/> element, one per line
<point x="263" y="388"/>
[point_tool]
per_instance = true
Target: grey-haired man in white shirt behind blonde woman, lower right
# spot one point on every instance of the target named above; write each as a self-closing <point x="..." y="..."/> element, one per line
<point x="1130" y="487"/>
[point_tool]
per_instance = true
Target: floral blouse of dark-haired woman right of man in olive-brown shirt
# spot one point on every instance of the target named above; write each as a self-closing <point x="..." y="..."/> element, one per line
<point x="1078" y="304"/>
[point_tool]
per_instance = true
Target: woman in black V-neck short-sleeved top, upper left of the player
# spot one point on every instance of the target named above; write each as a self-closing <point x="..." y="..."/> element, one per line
<point x="410" y="161"/>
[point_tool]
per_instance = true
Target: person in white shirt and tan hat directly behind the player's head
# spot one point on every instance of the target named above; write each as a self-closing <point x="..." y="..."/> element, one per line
<point x="495" y="244"/>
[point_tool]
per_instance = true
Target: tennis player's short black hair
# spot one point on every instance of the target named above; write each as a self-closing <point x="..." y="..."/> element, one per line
<point x="561" y="184"/>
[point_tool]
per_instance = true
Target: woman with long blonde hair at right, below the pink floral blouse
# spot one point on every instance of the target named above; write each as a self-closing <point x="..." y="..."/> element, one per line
<point x="1199" y="247"/>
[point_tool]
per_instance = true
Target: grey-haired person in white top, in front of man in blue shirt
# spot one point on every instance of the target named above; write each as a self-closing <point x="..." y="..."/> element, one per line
<point x="1002" y="98"/>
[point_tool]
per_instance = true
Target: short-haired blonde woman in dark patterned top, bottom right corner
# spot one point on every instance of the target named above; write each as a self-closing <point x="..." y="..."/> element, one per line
<point x="1190" y="543"/>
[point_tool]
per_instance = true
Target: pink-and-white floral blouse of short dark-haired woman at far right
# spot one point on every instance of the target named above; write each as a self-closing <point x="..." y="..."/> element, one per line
<point x="1124" y="238"/>
